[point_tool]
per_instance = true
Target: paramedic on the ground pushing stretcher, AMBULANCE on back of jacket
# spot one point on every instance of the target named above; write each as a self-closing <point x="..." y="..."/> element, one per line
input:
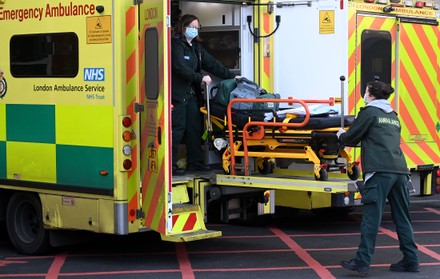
<point x="386" y="176"/>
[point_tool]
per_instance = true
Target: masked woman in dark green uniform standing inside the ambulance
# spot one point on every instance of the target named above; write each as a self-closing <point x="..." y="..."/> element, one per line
<point x="189" y="58"/>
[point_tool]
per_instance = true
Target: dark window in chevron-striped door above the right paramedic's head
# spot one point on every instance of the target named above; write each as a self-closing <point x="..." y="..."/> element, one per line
<point x="375" y="56"/>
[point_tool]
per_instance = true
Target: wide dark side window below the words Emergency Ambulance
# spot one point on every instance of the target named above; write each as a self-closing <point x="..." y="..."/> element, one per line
<point x="44" y="55"/>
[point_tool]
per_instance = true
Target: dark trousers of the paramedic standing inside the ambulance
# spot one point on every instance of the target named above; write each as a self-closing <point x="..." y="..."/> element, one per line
<point x="186" y="122"/>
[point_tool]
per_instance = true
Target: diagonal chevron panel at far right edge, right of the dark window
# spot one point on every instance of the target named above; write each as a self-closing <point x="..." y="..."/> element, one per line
<point x="418" y="91"/>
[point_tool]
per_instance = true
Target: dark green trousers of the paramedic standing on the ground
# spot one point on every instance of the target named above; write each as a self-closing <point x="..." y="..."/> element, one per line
<point x="377" y="189"/>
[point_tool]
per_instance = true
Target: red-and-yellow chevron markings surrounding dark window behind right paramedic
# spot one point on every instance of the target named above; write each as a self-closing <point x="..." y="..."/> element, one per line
<point x="418" y="82"/>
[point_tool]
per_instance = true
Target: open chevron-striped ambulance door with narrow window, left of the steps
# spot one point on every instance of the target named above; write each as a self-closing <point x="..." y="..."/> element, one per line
<point x="154" y="113"/>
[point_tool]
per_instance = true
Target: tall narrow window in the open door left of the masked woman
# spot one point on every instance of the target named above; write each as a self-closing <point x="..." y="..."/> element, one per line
<point x="151" y="63"/>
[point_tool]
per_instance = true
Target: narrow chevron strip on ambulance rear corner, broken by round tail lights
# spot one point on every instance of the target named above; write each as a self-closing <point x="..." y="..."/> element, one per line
<point x="131" y="92"/>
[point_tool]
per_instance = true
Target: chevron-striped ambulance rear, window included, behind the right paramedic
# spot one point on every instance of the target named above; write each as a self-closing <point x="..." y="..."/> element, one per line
<point x="402" y="51"/>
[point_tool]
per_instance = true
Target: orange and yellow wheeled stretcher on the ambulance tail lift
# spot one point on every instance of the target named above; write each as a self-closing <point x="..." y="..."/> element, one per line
<point x="290" y="137"/>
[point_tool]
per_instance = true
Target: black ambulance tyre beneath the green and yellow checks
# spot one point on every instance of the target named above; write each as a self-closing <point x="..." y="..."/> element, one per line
<point x="25" y="225"/>
